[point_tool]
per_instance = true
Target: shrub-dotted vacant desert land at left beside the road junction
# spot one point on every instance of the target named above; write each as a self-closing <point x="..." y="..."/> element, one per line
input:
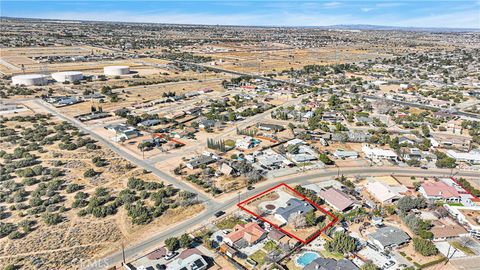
<point x="65" y="197"/>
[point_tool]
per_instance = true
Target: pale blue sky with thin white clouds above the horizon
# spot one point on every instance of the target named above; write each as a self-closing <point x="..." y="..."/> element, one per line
<point x="427" y="13"/>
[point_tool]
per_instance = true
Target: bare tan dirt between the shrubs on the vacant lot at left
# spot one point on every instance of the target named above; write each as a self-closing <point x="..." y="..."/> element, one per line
<point x="76" y="237"/>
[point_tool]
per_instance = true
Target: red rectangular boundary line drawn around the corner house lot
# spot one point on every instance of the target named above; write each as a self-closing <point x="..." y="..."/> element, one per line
<point x="304" y="241"/>
